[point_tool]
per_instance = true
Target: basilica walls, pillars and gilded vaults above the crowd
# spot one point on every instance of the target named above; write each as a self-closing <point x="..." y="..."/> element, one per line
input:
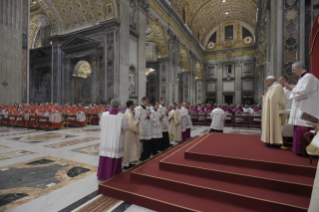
<point x="190" y="51"/>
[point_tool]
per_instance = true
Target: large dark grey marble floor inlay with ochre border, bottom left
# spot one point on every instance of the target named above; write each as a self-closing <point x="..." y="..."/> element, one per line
<point x="31" y="179"/>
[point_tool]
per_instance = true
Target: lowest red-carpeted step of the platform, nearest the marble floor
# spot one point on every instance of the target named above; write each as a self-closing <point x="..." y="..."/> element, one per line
<point x="162" y="199"/>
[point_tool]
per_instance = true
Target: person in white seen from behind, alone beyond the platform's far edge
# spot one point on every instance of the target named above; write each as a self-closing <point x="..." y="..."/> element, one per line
<point x="218" y="117"/>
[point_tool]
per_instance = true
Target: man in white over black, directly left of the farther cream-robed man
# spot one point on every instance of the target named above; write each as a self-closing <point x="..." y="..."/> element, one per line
<point x="163" y="110"/>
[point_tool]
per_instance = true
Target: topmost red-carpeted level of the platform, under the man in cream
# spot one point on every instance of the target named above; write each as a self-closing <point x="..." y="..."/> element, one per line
<point x="248" y="151"/>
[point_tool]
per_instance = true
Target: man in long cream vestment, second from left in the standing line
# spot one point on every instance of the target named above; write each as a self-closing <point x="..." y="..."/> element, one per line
<point x="132" y="144"/>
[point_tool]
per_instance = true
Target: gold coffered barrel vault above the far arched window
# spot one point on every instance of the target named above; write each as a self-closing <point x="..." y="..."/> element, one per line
<point x="203" y="15"/>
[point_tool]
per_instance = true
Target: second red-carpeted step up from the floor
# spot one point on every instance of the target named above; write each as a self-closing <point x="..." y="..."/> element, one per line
<point x="262" y="199"/>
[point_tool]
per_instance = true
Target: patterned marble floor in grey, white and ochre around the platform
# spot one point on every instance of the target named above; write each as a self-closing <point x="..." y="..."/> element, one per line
<point x="56" y="171"/>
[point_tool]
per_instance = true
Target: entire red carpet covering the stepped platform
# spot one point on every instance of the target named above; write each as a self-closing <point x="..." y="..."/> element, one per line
<point x="218" y="172"/>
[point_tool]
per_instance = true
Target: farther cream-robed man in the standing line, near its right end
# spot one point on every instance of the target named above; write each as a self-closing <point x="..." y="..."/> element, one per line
<point x="175" y="128"/>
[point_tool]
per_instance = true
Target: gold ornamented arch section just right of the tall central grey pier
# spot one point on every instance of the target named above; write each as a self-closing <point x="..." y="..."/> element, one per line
<point x="158" y="37"/>
